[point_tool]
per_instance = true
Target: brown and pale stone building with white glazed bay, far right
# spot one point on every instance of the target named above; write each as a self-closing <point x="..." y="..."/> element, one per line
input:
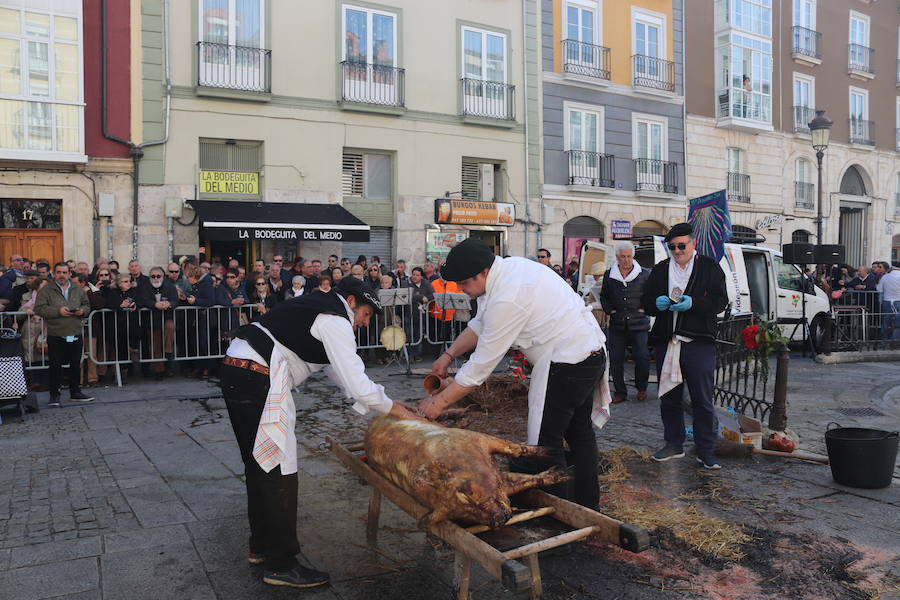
<point x="750" y="95"/>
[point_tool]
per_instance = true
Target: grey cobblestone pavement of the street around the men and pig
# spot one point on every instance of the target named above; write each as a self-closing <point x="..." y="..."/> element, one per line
<point x="140" y="495"/>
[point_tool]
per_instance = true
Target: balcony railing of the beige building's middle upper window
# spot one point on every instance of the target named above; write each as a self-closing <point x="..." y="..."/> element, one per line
<point x="373" y="85"/>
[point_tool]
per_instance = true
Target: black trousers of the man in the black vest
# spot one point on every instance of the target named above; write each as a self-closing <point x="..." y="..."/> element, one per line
<point x="271" y="497"/>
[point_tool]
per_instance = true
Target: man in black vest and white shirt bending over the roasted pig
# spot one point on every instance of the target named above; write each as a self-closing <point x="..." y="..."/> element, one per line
<point x="264" y="362"/>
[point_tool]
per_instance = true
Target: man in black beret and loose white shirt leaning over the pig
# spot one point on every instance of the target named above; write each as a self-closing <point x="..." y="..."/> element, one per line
<point x="522" y="303"/>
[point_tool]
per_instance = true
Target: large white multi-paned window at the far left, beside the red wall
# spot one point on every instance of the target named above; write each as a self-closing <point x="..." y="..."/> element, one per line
<point x="41" y="87"/>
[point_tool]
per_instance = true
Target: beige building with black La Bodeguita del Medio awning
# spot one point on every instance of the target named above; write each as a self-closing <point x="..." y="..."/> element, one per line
<point x="309" y="128"/>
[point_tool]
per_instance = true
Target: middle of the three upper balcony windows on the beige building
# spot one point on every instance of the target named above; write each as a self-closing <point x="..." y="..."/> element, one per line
<point x="369" y="56"/>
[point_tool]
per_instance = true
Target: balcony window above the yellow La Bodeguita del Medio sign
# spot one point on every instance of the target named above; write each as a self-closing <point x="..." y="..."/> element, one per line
<point x="232" y="45"/>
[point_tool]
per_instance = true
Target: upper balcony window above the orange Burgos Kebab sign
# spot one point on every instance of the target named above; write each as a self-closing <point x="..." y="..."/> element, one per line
<point x="485" y="90"/>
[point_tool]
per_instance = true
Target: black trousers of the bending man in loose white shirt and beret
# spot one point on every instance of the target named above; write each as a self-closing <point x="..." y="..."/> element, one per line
<point x="567" y="418"/>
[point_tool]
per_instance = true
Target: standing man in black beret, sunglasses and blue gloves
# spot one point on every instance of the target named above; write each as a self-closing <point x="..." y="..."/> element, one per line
<point x="685" y="293"/>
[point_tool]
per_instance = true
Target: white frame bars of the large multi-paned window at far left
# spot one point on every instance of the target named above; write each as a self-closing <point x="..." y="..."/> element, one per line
<point x="47" y="155"/>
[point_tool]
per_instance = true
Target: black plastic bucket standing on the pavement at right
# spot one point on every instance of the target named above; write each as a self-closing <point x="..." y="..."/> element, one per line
<point x="862" y="458"/>
